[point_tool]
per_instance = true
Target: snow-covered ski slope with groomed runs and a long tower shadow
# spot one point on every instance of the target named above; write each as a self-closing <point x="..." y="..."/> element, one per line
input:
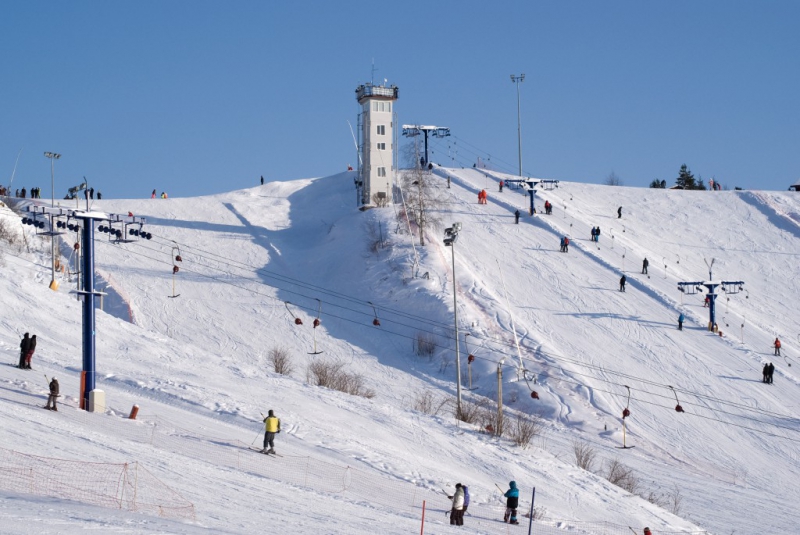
<point x="199" y="361"/>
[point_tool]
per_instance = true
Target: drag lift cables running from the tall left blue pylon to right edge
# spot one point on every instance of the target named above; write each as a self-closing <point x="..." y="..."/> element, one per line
<point x="552" y="356"/>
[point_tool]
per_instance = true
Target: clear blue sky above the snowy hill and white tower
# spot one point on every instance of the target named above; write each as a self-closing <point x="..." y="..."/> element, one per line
<point x="200" y="97"/>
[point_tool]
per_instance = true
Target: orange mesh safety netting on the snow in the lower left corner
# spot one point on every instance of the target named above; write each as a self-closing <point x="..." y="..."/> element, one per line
<point x="118" y="485"/>
